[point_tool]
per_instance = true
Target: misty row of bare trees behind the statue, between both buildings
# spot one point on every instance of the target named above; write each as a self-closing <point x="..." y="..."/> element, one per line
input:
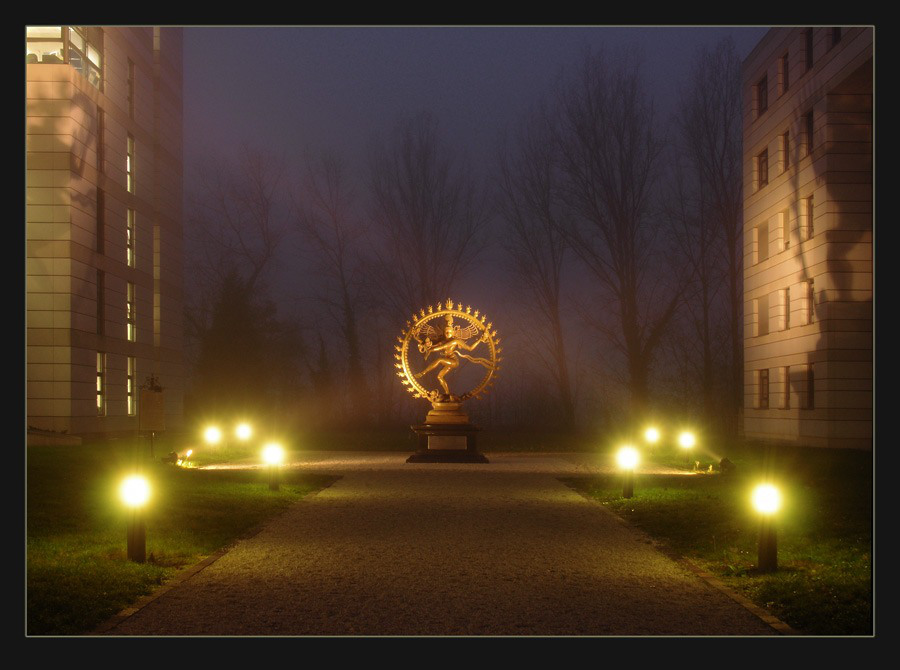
<point x="603" y="240"/>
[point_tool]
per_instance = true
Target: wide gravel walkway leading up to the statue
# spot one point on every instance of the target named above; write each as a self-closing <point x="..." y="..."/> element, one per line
<point x="438" y="549"/>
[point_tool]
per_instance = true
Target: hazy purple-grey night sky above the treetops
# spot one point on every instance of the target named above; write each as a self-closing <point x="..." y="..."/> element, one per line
<point x="283" y="89"/>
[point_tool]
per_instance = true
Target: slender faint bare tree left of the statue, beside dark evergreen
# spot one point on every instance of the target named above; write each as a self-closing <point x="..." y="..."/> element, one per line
<point x="329" y="230"/>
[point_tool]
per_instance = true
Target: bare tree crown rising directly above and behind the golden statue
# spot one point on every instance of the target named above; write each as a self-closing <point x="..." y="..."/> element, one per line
<point x="429" y="211"/>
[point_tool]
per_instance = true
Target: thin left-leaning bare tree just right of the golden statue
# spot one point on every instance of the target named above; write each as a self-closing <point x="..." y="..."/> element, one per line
<point x="528" y="202"/>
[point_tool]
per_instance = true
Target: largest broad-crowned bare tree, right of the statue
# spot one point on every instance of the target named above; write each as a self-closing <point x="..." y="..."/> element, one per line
<point x="610" y="152"/>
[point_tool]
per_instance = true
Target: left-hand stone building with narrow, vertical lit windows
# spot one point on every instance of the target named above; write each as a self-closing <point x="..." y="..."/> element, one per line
<point x="103" y="226"/>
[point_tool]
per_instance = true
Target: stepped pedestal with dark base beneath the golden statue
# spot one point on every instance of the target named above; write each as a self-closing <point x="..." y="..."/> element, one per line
<point x="446" y="437"/>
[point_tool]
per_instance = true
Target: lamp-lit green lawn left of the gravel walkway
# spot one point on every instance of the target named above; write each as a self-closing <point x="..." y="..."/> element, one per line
<point x="77" y="570"/>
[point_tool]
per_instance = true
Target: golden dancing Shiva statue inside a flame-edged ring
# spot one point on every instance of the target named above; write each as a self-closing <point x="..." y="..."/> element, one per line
<point x="436" y="335"/>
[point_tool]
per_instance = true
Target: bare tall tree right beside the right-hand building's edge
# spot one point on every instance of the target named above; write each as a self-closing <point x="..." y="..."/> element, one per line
<point x="710" y="124"/>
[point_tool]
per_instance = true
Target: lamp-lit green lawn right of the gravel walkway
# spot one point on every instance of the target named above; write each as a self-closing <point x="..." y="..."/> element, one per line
<point x="823" y="585"/>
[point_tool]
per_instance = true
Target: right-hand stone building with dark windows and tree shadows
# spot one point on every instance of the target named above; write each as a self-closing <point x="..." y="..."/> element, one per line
<point x="808" y="226"/>
